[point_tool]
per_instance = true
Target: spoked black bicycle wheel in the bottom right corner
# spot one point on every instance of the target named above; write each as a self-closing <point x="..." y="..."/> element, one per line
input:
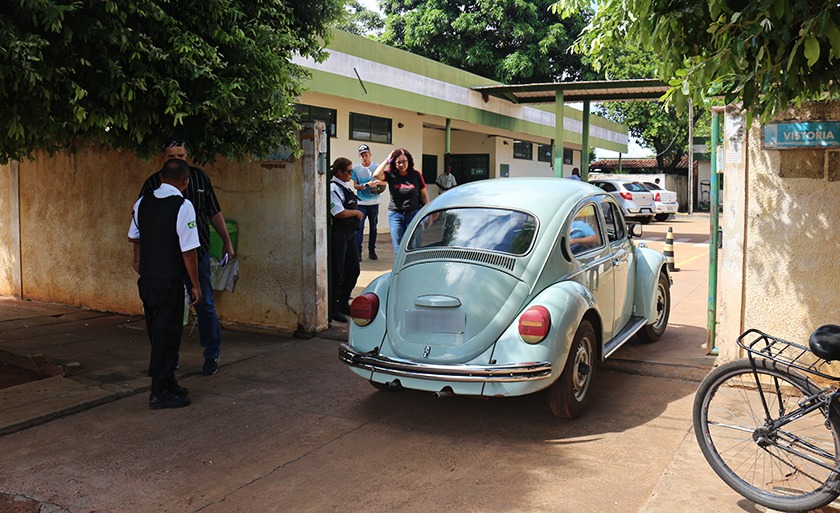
<point x="768" y="466"/>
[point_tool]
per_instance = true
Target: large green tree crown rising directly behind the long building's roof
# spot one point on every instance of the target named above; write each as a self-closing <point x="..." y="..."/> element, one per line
<point x="512" y="41"/>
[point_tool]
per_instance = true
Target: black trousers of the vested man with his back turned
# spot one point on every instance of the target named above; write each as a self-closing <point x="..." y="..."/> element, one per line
<point x="163" y="305"/>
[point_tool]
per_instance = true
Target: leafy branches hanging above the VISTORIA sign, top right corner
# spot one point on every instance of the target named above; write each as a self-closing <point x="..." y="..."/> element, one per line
<point x="764" y="53"/>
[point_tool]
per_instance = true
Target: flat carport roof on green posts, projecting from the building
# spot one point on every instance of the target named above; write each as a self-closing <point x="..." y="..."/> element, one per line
<point x="596" y="91"/>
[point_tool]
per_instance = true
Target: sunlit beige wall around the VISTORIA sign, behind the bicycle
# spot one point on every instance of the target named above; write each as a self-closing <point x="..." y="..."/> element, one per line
<point x="778" y="267"/>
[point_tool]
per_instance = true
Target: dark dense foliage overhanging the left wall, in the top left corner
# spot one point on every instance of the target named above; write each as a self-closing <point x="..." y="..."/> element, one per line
<point x="128" y="74"/>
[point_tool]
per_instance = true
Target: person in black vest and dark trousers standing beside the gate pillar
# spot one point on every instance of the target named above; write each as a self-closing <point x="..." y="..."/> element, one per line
<point x="344" y="254"/>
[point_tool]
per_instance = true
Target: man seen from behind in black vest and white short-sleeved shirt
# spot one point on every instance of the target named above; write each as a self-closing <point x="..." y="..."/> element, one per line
<point x="163" y="230"/>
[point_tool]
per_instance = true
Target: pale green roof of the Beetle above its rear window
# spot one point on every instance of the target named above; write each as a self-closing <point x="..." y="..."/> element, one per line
<point x="543" y="197"/>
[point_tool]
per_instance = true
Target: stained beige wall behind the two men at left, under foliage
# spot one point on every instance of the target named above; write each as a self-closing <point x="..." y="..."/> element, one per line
<point x="75" y="212"/>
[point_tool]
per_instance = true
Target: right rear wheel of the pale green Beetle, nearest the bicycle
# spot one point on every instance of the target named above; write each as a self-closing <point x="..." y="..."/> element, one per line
<point x="569" y="395"/>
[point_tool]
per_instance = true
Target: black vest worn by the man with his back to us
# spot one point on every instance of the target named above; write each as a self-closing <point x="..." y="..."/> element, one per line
<point x="160" y="248"/>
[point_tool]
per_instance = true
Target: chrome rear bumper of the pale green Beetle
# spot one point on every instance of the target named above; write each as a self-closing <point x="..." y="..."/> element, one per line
<point x="527" y="371"/>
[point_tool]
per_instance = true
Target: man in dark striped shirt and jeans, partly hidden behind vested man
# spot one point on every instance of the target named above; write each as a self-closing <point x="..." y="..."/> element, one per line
<point x="200" y="193"/>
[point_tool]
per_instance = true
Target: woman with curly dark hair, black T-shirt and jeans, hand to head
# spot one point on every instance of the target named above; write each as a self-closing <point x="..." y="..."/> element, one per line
<point x="408" y="192"/>
